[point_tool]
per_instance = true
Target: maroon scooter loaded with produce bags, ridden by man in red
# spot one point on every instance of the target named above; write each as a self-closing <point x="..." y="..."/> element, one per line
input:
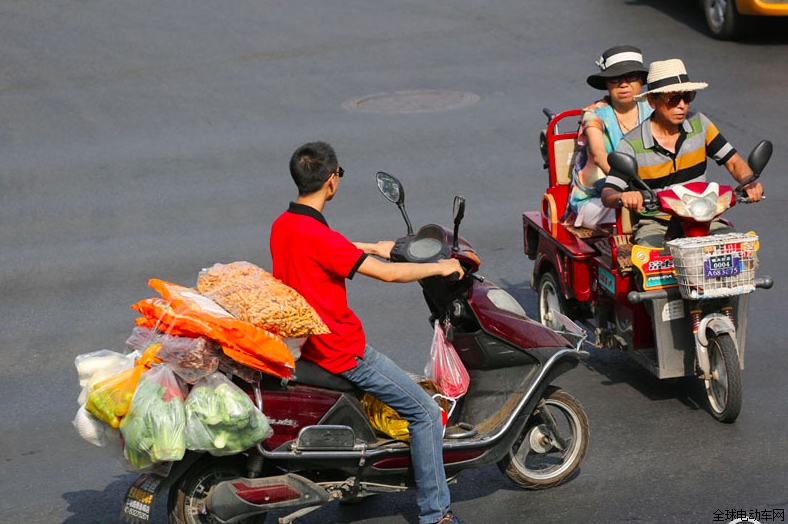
<point x="324" y="448"/>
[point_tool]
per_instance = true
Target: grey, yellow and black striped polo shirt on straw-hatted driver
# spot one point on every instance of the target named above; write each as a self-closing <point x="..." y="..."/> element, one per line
<point x="660" y="168"/>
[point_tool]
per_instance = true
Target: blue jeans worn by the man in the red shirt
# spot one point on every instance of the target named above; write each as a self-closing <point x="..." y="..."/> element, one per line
<point x="379" y="376"/>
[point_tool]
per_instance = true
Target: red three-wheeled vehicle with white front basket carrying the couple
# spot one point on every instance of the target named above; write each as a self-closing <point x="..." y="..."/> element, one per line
<point x="677" y="312"/>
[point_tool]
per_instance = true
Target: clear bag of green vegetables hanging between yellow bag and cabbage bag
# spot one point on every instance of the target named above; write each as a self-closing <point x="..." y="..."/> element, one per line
<point x="154" y="427"/>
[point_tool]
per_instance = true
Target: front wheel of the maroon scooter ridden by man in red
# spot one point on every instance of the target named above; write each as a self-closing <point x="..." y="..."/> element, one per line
<point x="535" y="461"/>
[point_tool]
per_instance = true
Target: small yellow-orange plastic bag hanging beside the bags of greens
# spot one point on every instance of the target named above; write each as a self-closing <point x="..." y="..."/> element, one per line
<point x="110" y="399"/>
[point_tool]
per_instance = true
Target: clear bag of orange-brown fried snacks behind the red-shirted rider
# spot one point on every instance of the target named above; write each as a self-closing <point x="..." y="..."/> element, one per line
<point x="254" y="295"/>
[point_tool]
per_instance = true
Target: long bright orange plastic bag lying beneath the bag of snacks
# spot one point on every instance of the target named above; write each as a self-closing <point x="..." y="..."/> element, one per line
<point x="184" y="312"/>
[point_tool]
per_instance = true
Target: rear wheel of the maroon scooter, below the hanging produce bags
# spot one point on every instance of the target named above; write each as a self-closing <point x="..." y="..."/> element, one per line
<point x="186" y="497"/>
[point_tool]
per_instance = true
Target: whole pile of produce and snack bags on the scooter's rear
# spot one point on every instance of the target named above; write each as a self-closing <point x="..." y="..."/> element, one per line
<point x="171" y="393"/>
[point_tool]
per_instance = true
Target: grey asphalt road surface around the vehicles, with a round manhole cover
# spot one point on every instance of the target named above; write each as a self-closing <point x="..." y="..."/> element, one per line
<point x="150" y="139"/>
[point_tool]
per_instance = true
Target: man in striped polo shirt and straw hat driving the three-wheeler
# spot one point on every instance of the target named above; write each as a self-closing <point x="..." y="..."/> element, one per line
<point x="671" y="147"/>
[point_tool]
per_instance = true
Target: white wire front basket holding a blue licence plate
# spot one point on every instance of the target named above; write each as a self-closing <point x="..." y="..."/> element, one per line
<point x="715" y="266"/>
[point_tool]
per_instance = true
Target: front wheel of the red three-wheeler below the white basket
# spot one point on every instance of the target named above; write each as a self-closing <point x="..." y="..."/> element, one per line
<point x="724" y="388"/>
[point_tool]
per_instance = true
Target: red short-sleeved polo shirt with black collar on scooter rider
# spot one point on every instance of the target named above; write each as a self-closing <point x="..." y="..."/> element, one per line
<point x="315" y="260"/>
